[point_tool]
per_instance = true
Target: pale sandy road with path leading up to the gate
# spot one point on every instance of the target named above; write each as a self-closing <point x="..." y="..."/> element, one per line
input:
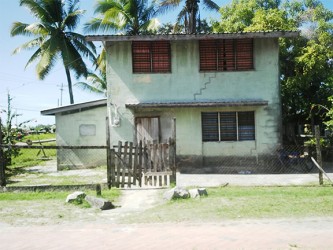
<point x="106" y="233"/>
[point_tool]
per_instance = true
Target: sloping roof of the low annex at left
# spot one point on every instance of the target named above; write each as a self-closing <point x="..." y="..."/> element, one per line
<point x="75" y="107"/>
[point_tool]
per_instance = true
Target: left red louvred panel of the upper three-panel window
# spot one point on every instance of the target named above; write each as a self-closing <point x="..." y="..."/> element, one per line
<point x="208" y="55"/>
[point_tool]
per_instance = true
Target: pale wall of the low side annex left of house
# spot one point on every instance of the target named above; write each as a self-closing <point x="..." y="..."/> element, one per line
<point x="86" y="128"/>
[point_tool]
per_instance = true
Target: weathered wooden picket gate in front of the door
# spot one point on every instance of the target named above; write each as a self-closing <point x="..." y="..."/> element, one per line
<point x="144" y="164"/>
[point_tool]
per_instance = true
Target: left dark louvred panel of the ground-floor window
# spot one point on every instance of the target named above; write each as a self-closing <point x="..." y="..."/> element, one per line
<point x="210" y="126"/>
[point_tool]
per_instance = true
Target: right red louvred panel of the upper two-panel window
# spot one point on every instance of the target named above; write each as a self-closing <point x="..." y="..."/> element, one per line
<point x="161" y="57"/>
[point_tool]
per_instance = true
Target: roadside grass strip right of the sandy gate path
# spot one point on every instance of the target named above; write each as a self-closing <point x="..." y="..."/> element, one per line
<point x="243" y="202"/>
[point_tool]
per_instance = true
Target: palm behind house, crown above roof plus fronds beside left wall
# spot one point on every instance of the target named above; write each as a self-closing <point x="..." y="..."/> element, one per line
<point x="132" y="17"/>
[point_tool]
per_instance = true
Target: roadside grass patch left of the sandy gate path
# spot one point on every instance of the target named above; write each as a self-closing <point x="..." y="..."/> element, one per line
<point x="47" y="208"/>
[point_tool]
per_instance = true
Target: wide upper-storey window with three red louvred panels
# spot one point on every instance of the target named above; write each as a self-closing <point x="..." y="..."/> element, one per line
<point x="226" y="55"/>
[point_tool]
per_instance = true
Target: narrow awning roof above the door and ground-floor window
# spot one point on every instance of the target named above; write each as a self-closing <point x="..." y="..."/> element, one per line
<point x="199" y="104"/>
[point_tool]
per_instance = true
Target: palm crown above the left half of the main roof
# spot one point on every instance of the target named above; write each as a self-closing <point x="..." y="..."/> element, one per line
<point x="131" y="17"/>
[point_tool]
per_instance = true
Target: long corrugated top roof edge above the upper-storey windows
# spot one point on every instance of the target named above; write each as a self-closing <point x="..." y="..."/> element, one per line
<point x="257" y="34"/>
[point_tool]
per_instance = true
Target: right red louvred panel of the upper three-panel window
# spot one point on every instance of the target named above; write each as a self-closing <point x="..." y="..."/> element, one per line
<point x="244" y="54"/>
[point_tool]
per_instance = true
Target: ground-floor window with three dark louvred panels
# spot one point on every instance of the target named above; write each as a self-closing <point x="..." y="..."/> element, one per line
<point x="228" y="126"/>
